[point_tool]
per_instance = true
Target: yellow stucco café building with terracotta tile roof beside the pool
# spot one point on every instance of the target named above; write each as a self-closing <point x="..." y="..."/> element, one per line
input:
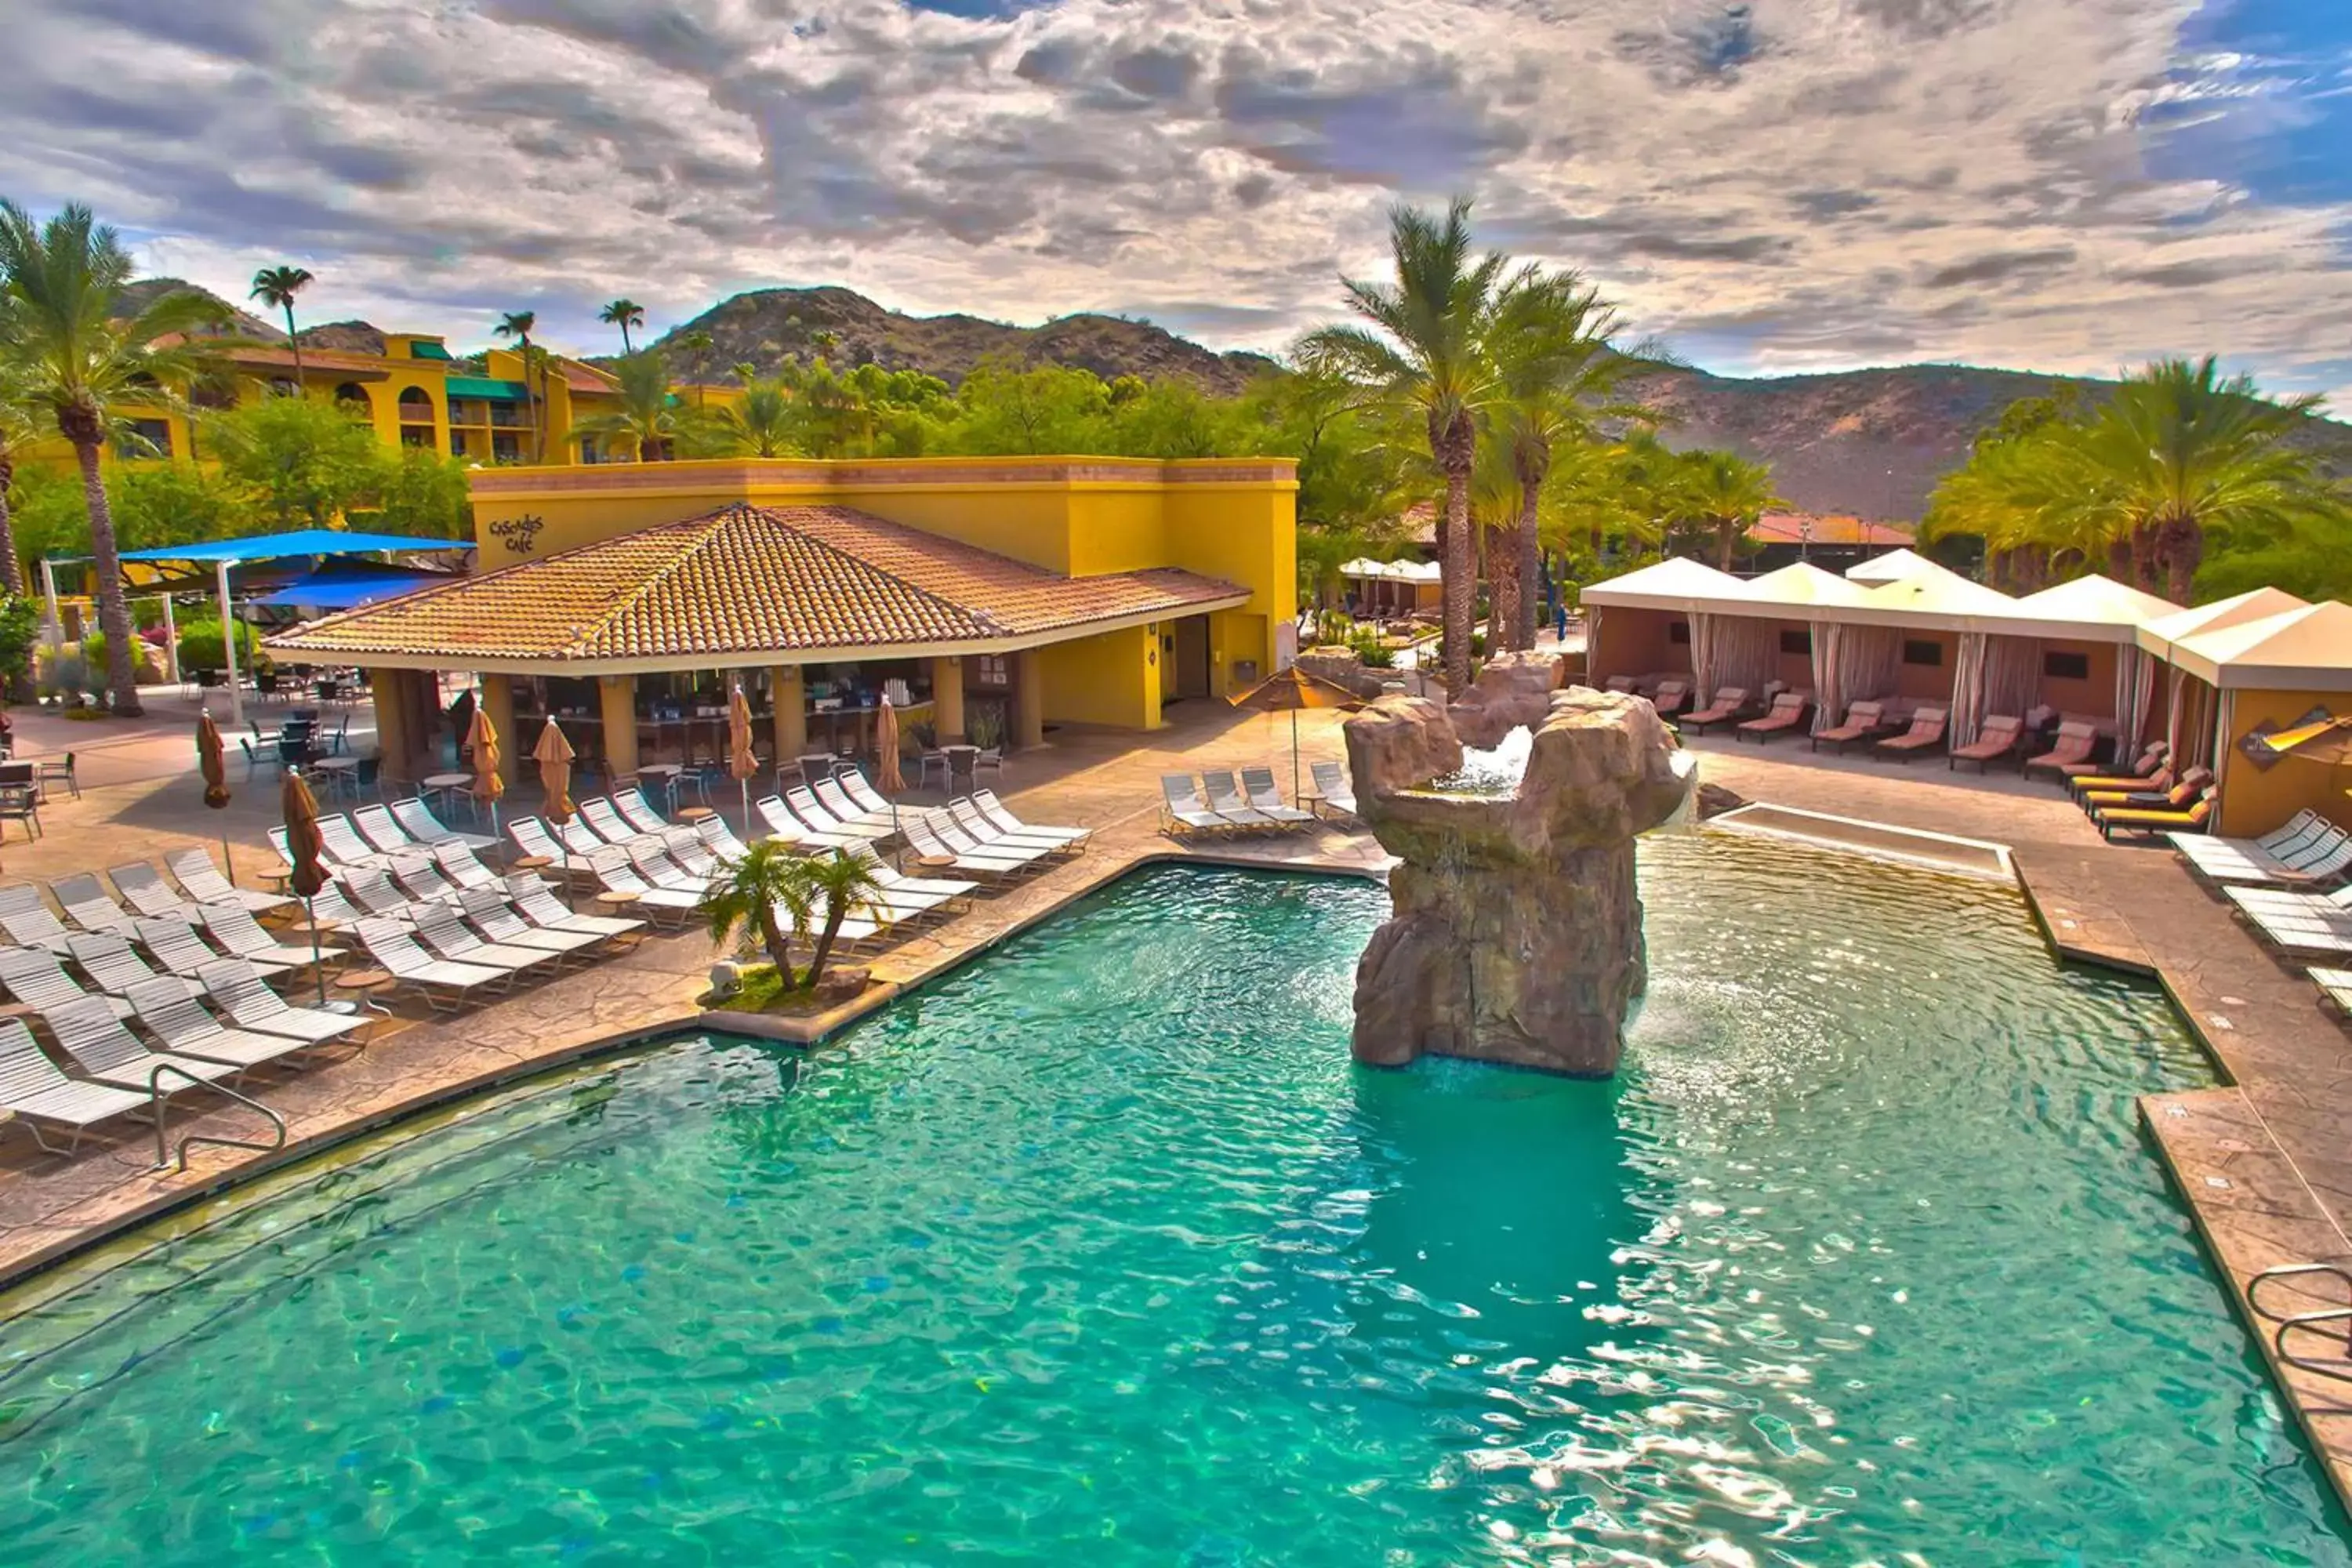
<point x="624" y="598"/>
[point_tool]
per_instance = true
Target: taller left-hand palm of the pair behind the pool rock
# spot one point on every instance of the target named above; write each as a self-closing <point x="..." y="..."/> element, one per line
<point x="1429" y="356"/>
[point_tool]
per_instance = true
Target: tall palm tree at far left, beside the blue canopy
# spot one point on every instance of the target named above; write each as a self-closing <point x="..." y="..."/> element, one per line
<point x="79" y="366"/>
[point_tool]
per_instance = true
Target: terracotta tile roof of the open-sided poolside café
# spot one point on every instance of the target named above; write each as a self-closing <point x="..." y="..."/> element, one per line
<point x="749" y="582"/>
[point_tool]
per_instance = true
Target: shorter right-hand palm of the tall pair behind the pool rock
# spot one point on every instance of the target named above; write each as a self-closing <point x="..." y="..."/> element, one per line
<point x="1551" y="344"/>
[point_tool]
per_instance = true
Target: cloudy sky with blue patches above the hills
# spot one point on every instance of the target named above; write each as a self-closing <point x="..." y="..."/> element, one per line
<point x="1772" y="187"/>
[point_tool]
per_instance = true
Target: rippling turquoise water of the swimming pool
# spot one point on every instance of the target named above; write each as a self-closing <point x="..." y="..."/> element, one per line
<point x="1102" y="1252"/>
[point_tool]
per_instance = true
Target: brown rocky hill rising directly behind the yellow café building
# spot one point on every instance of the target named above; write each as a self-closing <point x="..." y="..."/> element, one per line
<point x="766" y="326"/>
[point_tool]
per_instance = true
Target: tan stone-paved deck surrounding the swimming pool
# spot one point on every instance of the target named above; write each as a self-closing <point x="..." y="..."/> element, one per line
<point x="2264" y="1162"/>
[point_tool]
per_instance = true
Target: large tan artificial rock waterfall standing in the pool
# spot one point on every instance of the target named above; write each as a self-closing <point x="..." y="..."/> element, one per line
<point x="1516" y="932"/>
